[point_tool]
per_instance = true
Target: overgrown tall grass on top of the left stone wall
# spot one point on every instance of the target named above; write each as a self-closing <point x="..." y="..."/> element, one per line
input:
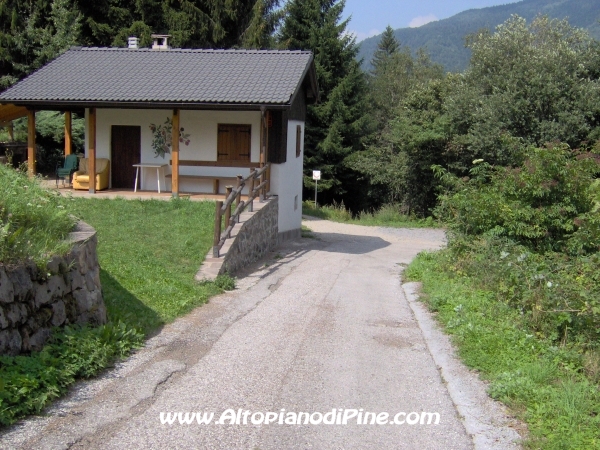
<point x="33" y="223"/>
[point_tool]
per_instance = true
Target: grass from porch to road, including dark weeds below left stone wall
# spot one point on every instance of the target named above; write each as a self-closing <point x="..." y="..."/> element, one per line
<point x="149" y="252"/>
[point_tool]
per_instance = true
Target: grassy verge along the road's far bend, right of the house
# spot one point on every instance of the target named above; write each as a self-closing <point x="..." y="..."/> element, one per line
<point x="387" y="216"/>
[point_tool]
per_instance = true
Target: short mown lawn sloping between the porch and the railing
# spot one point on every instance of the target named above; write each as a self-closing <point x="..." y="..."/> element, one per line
<point x="149" y="252"/>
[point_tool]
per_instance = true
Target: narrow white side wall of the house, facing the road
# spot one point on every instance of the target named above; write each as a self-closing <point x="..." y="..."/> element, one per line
<point x="286" y="182"/>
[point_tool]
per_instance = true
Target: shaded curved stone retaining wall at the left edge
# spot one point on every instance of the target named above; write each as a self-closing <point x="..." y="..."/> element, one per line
<point x="33" y="301"/>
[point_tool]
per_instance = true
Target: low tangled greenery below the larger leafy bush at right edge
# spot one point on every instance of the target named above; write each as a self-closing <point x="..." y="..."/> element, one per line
<point x="557" y="294"/>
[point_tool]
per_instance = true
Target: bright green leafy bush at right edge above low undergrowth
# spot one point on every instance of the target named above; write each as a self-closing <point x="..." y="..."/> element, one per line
<point x="546" y="204"/>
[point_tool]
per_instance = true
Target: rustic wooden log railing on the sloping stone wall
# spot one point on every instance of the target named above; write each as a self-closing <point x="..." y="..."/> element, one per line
<point x="257" y="183"/>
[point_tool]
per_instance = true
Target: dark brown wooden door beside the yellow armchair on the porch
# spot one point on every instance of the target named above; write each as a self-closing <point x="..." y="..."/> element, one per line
<point x="125" y="151"/>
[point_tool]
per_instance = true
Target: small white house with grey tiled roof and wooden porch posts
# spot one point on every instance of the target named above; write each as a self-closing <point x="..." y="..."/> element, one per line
<point x="180" y="119"/>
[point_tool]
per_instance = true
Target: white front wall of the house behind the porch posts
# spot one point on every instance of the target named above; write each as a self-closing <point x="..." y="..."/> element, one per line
<point x="200" y="125"/>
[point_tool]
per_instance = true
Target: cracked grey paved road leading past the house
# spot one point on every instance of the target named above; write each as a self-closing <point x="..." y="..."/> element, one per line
<point x="324" y="325"/>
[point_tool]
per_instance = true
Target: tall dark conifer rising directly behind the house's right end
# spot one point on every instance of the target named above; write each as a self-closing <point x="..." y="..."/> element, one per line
<point x="334" y="126"/>
